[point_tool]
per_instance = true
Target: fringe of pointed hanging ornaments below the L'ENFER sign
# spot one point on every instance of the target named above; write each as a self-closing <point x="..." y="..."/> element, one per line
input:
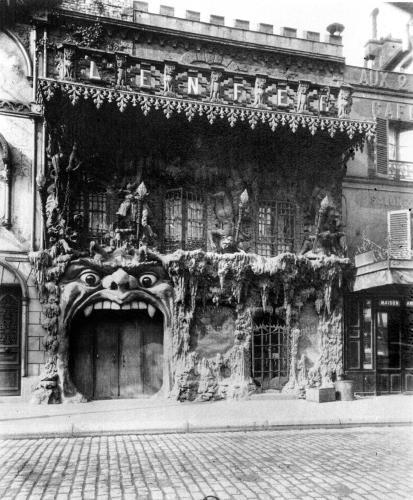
<point x="190" y="108"/>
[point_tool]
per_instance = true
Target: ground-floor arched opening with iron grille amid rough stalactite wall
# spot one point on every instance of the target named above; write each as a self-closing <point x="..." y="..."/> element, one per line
<point x="269" y="354"/>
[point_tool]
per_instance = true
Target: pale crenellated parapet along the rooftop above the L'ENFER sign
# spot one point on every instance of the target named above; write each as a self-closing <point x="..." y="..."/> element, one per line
<point x="241" y="31"/>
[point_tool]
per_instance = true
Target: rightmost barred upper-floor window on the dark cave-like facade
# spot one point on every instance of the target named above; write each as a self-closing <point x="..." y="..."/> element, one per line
<point x="278" y="228"/>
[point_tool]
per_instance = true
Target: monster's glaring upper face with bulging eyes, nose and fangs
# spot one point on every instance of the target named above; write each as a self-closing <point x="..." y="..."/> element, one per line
<point x="87" y="287"/>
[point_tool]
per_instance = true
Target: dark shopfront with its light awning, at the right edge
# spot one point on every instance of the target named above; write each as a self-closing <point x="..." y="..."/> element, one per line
<point x="379" y="331"/>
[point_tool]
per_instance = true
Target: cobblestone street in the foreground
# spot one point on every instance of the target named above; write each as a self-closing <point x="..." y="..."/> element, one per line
<point x="365" y="463"/>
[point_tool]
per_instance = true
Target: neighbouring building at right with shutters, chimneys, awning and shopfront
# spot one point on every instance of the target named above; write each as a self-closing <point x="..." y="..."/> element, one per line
<point x="379" y="198"/>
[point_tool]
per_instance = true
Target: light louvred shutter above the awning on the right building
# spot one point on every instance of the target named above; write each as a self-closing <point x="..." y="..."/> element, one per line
<point x="398" y="225"/>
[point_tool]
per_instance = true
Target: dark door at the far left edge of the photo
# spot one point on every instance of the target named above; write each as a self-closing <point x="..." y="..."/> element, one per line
<point x="10" y="299"/>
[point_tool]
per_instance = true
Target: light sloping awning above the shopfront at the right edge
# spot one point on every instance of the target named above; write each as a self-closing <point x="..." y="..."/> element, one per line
<point x="393" y="272"/>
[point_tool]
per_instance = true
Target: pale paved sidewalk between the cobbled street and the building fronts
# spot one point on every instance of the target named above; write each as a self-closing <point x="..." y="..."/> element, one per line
<point x="139" y="416"/>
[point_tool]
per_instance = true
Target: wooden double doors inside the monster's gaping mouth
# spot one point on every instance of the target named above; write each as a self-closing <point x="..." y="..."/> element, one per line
<point x="117" y="355"/>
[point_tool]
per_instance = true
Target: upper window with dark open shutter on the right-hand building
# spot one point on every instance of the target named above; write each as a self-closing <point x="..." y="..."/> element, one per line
<point x="394" y="150"/>
